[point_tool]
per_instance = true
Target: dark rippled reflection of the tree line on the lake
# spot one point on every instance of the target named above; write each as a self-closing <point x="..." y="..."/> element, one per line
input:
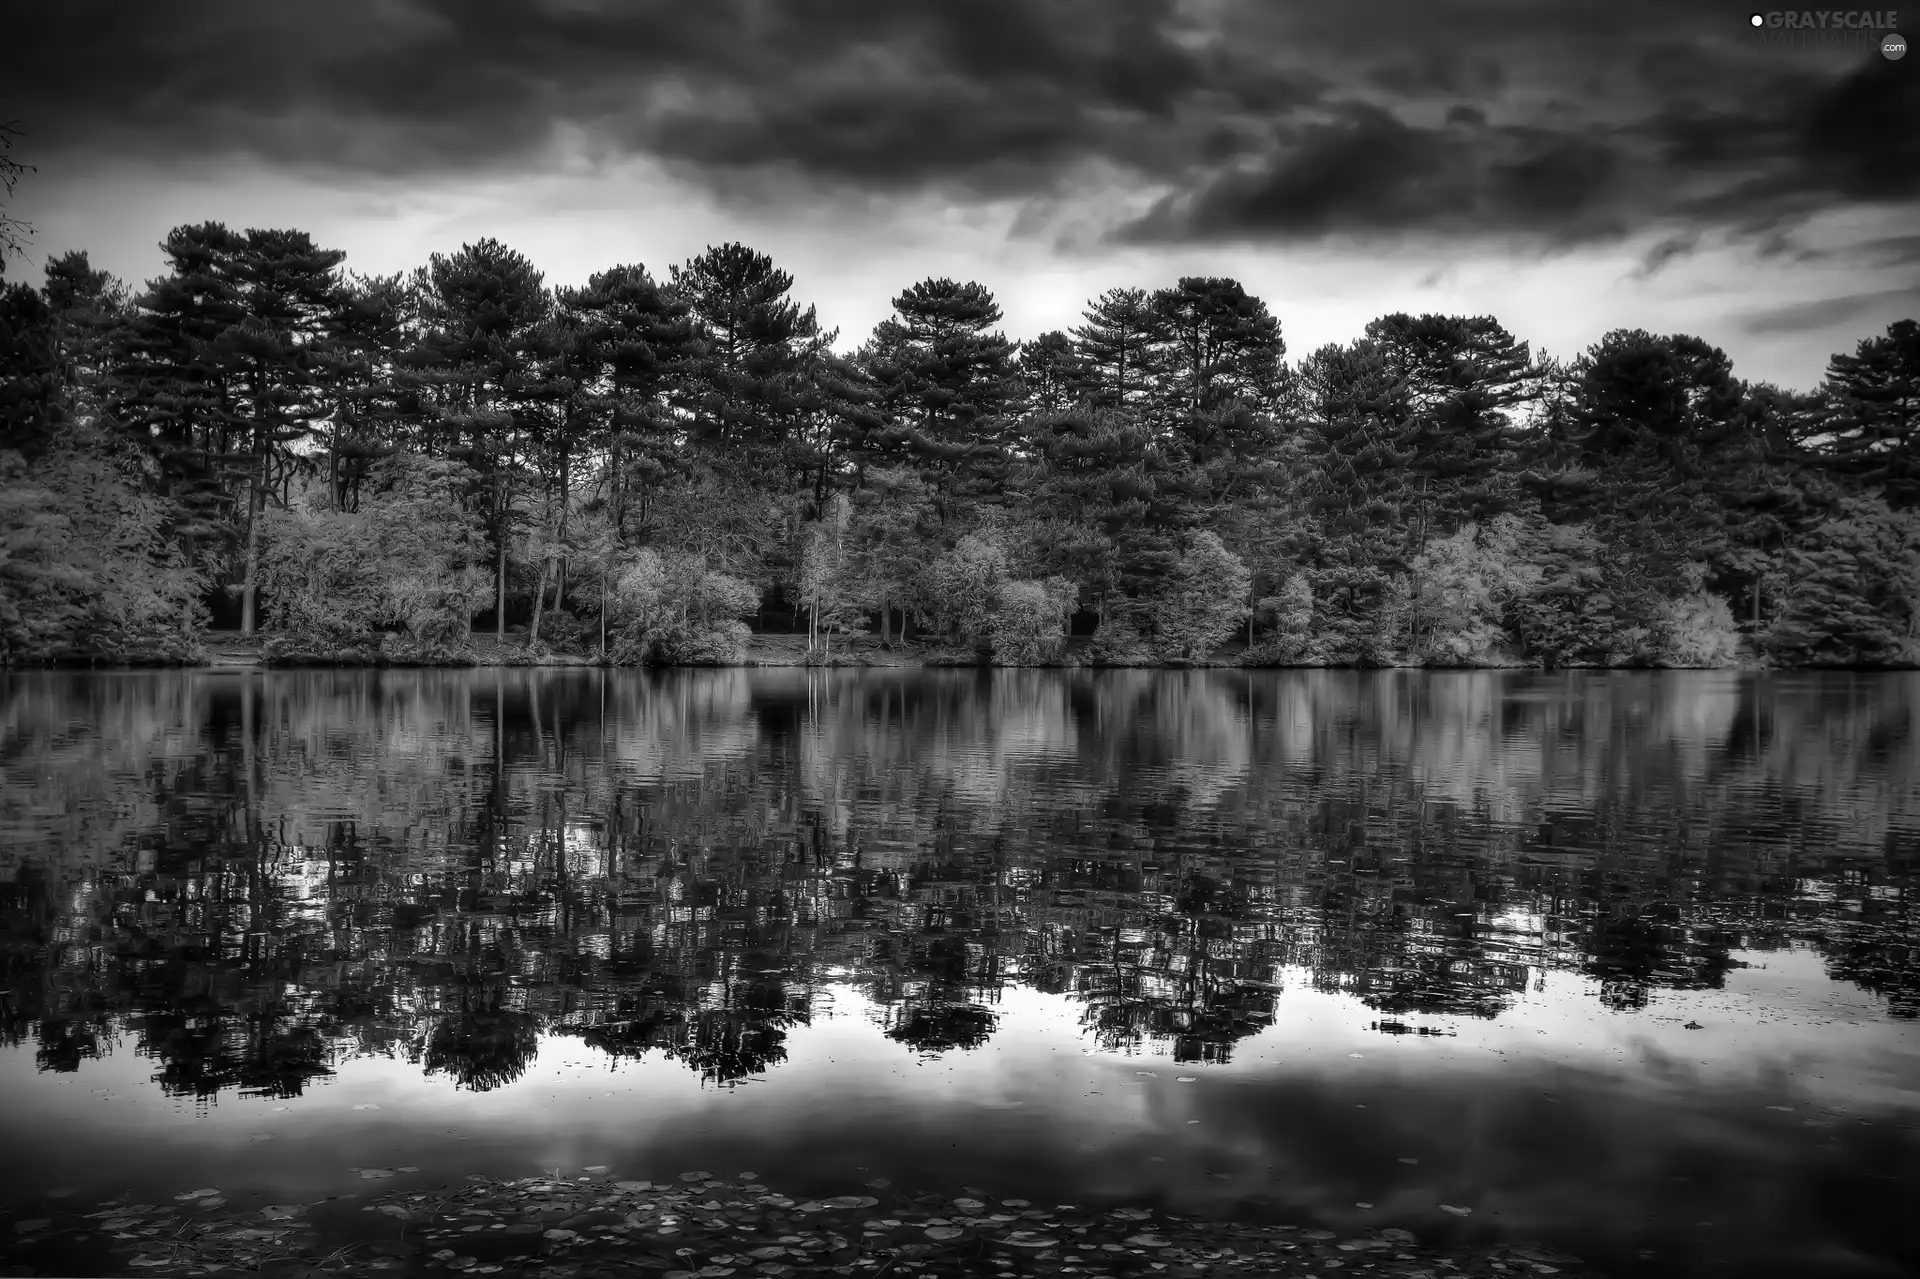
<point x="254" y="877"/>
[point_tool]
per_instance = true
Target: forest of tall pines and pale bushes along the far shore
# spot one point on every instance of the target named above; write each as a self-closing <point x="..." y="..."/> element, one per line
<point x="650" y="468"/>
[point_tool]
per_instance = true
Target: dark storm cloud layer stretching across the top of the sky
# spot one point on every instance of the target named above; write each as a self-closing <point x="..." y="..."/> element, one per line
<point x="1255" y="122"/>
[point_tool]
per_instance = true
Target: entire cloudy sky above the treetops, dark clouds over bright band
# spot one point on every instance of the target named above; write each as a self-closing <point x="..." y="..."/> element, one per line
<point x="1570" y="168"/>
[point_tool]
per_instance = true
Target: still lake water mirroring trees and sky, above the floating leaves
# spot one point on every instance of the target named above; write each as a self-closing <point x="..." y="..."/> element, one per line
<point x="1623" y="963"/>
